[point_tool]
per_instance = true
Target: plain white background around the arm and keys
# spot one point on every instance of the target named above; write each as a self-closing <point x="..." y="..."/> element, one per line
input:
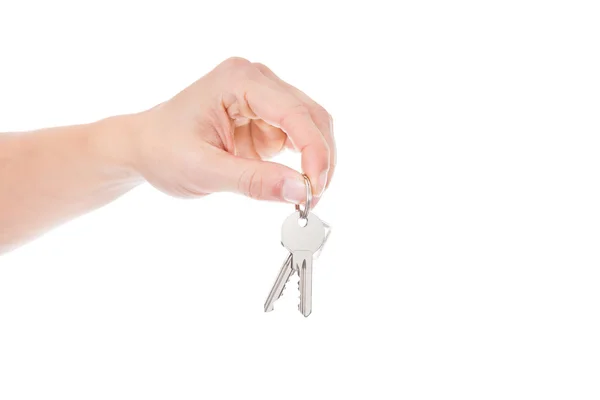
<point x="464" y="258"/>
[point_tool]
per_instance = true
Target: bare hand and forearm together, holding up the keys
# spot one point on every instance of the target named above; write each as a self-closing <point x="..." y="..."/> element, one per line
<point x="214" y="136"/>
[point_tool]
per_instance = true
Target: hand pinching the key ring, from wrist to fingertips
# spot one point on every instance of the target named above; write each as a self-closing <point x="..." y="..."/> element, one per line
<point x="216" y="134"/>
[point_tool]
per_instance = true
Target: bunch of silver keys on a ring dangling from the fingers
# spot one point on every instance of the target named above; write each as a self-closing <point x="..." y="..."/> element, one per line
<point x="303" y="234"/>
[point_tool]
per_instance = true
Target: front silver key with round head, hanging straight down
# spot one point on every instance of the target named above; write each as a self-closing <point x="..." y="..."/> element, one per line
<point x="303" y="242"/>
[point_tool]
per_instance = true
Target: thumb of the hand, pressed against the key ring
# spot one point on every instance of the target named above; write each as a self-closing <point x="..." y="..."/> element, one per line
<point x="261" y="180"/>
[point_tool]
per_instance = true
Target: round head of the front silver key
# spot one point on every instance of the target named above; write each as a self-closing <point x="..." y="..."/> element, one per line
<point x="296" y="237"/>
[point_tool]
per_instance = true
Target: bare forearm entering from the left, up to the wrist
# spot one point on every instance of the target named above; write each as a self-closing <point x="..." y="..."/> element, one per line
<point x="50" y="176"/>
